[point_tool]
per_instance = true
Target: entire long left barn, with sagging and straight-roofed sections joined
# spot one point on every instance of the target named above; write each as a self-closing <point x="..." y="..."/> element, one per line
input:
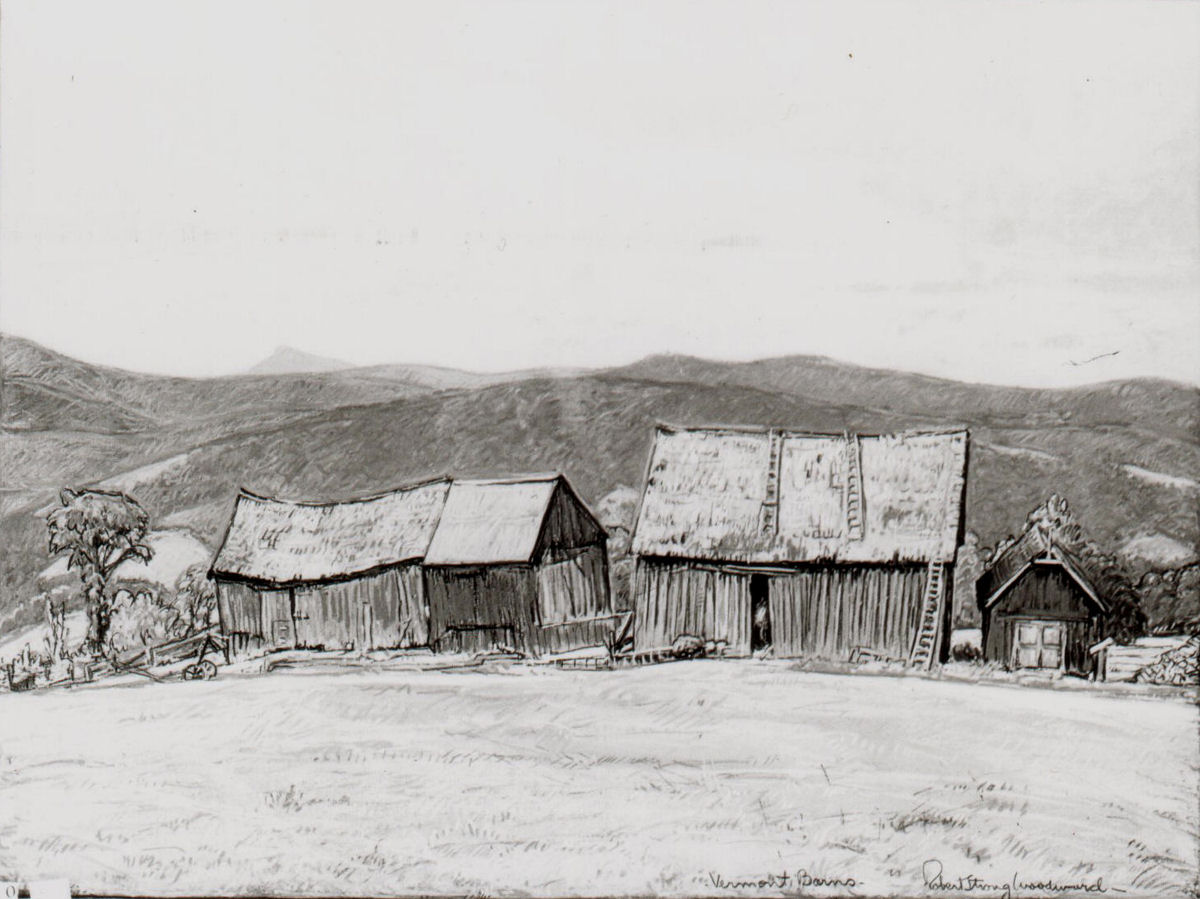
<point x="452" y="565"/>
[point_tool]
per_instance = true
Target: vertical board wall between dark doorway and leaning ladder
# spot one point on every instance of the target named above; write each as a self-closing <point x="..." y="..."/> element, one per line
<point x="827" y="613"/>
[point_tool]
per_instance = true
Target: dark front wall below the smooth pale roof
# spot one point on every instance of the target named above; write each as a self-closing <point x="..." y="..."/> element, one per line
<point x="472" y="608"/>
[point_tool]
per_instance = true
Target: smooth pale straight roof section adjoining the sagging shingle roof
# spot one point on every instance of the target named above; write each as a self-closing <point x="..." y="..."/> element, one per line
<point x="493" y="522"/>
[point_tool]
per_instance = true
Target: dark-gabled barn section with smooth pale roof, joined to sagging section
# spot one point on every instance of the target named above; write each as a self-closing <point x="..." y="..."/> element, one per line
<point x="520" y="564"/>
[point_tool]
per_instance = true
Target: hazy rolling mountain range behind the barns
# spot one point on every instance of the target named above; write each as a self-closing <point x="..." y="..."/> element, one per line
<point x="1126" y="454"/>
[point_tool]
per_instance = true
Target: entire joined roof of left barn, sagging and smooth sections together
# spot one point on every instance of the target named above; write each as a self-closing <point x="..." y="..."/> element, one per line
<point x="442" y="523"/>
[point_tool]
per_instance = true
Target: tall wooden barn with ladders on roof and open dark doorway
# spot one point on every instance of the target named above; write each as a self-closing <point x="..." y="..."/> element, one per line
<point x="826" y="547"/>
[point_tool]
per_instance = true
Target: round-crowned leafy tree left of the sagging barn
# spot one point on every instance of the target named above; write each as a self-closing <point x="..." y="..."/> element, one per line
<point x="98" y="531"/>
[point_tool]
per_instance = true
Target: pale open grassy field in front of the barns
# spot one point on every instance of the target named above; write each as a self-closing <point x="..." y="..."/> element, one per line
<point x="680" y="780"/>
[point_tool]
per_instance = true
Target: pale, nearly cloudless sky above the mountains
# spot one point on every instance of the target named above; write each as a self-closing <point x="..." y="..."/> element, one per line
<point x="1000" y="190"/>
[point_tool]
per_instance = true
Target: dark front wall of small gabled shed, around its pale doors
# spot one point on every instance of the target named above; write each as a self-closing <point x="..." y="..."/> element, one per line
<point x="1043" y="594"/>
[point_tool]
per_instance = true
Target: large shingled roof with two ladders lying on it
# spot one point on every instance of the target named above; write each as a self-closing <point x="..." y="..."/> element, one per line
<point x="763" y="496"/>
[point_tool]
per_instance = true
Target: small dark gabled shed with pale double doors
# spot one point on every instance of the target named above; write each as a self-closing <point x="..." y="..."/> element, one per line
<point x="1041" y="608"/>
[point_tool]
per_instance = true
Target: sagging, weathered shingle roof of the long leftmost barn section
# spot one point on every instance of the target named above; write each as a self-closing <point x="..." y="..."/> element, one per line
<point x="280" y="542"/>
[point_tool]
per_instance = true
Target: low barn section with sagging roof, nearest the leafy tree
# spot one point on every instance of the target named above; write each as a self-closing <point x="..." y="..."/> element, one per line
<point x="328" y="576"/>
